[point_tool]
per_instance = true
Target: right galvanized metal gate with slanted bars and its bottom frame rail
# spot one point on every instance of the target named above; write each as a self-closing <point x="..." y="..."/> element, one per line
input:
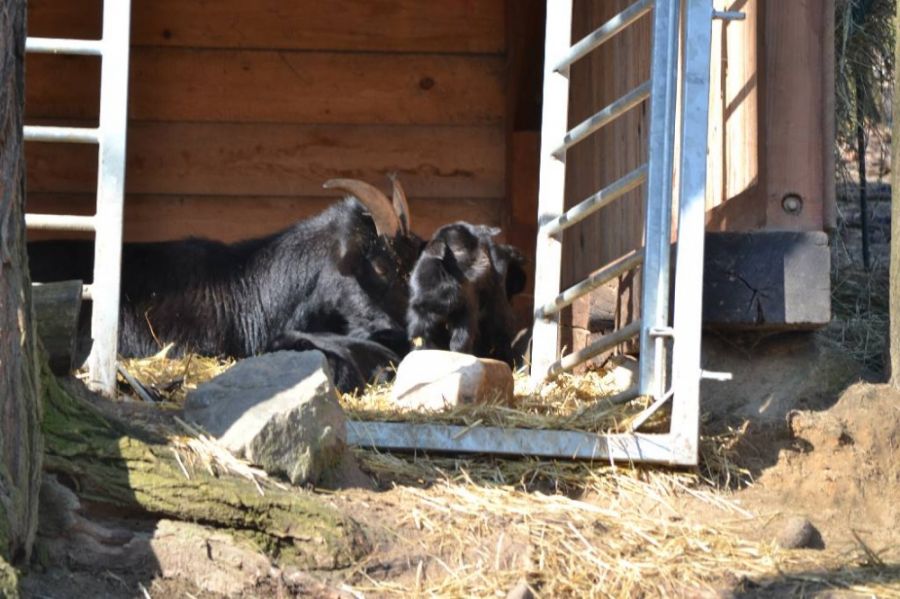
<point x="665" y="346"/>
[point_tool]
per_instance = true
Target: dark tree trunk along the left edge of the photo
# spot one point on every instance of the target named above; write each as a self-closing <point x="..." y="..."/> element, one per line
<point x="20" y="440"/>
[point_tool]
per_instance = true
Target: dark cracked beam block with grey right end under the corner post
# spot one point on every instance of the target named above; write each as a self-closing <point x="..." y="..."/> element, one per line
<point x="767" y="279"/>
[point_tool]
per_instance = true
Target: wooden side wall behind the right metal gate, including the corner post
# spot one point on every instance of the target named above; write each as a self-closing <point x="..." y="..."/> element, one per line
<point x="771" y="132"/>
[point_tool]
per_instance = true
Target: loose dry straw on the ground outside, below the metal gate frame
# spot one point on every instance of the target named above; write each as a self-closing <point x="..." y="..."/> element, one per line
<point x="479" y="531"/>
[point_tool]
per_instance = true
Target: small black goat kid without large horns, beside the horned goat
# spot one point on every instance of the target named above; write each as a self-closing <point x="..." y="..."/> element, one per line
<point x="460" y="290"/>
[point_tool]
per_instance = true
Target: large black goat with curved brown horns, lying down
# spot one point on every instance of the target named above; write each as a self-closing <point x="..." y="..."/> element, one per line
<point x="335" y="282"/>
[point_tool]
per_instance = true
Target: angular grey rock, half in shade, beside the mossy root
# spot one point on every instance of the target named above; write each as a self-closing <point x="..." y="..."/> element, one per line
<point x="279" y="411"/>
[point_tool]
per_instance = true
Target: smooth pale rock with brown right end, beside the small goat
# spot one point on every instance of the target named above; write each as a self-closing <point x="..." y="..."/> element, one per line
<point x="432" y="380"/>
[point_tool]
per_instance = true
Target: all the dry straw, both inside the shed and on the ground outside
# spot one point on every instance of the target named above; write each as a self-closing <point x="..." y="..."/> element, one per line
<point x="477" y="525"/>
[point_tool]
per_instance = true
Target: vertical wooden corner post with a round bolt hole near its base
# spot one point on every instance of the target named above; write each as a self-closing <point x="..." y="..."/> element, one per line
<point x="794" y="75"/>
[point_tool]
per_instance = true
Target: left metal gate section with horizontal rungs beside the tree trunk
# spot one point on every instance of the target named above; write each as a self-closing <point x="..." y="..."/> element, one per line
<point x="106" y="223"/>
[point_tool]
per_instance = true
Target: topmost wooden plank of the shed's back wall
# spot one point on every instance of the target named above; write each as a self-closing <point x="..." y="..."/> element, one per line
<point x="464" y="26"/>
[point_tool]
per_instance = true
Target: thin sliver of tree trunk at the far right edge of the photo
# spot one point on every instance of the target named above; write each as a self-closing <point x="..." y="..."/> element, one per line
<point x="894" y="340"/>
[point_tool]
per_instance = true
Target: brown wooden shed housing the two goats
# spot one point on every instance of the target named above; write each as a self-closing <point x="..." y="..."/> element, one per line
<point x="240" y="109"/>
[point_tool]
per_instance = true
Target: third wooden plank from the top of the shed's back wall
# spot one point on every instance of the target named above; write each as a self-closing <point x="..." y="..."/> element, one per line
<point x="264" y="159"/>
